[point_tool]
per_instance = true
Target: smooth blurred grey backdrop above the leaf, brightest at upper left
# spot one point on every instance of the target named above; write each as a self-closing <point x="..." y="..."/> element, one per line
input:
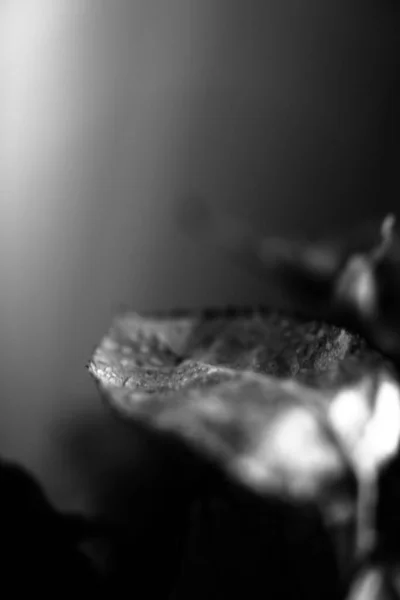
<point x="284" y="113"/>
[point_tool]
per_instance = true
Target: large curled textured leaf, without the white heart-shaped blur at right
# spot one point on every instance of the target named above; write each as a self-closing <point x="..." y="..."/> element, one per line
<point x="243" y="389"/>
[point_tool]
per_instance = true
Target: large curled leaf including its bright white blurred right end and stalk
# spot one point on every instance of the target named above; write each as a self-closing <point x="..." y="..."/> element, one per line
<point x="301" y="438"/>
